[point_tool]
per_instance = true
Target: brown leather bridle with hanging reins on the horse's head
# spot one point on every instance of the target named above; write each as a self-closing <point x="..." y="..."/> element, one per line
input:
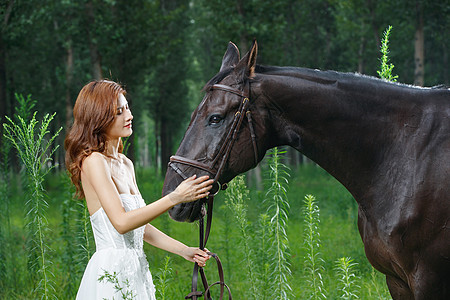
<point x="220" y="160"/>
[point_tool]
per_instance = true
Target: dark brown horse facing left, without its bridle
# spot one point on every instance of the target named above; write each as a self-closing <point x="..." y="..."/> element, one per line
<point x="387" y="143"/>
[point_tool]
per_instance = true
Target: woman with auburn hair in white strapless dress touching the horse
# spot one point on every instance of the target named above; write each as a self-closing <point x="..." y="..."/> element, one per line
<point x="119" y="217"/>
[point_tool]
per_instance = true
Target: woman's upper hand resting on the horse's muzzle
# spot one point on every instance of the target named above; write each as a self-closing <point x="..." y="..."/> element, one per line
<point x="192" y="189"/>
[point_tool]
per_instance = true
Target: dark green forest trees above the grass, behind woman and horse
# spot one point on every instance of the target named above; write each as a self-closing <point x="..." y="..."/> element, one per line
<point x="164" y="51"/>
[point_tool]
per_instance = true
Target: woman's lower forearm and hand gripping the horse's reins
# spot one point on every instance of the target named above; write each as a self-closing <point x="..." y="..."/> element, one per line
<point x="158" y="239"/>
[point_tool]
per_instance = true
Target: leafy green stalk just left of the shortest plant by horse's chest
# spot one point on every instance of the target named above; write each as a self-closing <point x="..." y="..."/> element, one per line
<point x="312" y="260"/>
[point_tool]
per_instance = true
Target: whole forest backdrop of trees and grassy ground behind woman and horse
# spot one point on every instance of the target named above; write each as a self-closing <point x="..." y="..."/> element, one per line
<point x="163" y="52"/>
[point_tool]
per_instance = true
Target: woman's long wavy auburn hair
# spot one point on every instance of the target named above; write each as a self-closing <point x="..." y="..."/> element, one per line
<point x="93" y="113"/>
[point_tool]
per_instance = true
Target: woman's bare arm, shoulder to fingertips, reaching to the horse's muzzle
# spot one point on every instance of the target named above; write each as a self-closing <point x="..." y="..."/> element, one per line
<point x="97" y="182"/>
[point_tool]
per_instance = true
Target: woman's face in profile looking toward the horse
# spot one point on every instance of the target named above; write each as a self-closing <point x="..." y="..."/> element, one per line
<point x="121" y="127"/>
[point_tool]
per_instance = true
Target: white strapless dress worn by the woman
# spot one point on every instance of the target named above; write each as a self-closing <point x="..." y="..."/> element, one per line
<point x="119" y="255"/>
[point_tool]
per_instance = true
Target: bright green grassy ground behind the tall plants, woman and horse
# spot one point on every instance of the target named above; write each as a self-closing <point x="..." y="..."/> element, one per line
<point x="338" y="234"/>
